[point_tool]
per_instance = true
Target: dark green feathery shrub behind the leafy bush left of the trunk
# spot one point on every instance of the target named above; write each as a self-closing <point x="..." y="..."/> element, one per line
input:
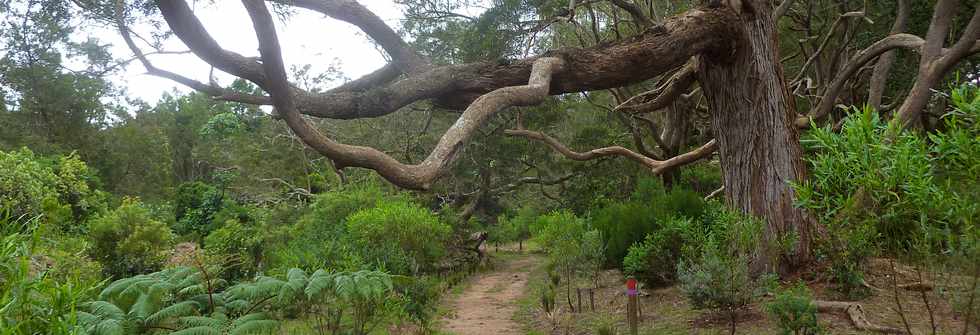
<point x="623" y="224"/>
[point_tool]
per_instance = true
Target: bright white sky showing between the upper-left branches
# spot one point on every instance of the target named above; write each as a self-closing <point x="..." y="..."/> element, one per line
<point x="306" y="38"/>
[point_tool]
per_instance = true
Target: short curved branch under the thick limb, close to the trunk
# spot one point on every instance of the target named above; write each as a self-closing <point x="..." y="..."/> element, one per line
<point x="663" y="95"/>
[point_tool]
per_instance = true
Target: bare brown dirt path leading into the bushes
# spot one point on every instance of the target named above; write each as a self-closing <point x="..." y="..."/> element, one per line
<point x="488" y="303"/>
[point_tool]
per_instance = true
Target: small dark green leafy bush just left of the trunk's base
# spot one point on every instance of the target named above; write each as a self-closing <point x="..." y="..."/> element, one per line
<point x="655" y="259"/>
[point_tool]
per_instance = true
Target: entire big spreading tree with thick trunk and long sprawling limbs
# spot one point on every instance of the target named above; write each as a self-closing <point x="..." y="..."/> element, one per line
<point x="735" y="55"/>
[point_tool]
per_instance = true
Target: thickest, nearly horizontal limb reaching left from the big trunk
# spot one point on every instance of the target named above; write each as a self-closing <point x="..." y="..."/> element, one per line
<point x="630" y="61"/>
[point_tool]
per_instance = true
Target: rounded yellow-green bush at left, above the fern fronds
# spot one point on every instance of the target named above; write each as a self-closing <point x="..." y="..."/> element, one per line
<point x="128" y="241"/>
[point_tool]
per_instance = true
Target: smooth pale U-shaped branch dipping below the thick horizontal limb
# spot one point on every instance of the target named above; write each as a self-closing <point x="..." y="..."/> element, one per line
<point x="417" y="176"/>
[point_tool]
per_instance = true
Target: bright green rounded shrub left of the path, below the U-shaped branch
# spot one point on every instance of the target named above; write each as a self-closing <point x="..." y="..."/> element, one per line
<point x="400" y="236"/>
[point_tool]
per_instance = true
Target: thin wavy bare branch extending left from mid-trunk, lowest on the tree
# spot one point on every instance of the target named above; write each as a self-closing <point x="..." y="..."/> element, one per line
<point x="656" y="166"/>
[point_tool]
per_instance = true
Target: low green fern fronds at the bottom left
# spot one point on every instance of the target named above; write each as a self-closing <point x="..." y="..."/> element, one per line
<point x="181" y="301"/>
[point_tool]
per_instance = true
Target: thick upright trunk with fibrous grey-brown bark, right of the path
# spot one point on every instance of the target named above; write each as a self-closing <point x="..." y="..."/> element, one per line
<point x="752" y="118"/>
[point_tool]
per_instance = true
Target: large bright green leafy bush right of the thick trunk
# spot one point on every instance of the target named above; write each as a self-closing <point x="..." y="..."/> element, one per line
<point x="876" y="186"/>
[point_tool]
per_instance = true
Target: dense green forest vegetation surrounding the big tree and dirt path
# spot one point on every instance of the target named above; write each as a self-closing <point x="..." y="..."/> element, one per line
<point x="197" y="214"/>
